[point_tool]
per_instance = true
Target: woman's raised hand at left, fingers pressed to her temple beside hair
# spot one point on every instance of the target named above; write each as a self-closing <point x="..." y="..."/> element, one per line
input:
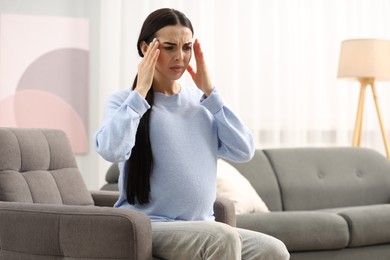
<point x="146" y="67"/>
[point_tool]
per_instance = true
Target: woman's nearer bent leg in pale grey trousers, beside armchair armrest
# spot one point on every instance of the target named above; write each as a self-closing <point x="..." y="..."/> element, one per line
<point x="202" y="240"/>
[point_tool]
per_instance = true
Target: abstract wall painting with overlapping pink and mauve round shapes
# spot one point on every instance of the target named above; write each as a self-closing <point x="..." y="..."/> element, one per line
<point x="44" y="64"/>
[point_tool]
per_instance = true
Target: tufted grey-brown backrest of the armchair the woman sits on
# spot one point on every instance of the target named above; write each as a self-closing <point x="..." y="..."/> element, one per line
<point x="38" y="166"/>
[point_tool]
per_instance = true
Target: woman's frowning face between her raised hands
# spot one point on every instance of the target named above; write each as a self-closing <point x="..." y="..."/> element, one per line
<point x="175" y="44"/>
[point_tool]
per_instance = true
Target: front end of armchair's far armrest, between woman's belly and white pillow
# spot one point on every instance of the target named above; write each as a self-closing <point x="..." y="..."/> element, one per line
<point x="224" y="211"/>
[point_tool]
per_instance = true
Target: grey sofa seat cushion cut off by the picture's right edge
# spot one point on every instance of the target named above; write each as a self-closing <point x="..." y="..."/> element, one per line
<point x="368" y="225"/>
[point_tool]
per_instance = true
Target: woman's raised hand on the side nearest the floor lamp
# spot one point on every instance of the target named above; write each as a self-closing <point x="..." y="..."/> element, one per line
<point x="201" y="77"/>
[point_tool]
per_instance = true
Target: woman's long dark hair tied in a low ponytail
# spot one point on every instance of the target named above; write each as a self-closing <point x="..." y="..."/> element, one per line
<point x="141" y="159"/>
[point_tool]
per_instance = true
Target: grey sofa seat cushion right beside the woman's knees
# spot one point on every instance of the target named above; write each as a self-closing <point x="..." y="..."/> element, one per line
<point x="300" y="230"/>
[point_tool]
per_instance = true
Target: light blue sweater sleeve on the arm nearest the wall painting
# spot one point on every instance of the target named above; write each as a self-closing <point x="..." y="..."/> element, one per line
<point x="115" y="137"/>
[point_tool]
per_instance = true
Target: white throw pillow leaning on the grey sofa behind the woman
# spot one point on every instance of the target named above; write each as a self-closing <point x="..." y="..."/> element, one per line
<point x="233" y="185"/>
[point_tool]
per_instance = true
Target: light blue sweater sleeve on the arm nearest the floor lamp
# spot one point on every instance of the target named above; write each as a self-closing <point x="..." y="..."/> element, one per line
<point x="235" y="140"/>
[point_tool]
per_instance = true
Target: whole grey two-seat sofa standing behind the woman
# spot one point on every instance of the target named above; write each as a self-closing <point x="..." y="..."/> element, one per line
<point x="323" y="203"/>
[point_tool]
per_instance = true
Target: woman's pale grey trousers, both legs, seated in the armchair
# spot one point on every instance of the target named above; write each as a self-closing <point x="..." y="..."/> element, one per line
<point x="192" y="240"/>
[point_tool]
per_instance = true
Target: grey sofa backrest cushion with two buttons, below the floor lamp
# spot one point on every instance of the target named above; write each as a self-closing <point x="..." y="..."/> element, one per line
<point x="319" y="178"/>
